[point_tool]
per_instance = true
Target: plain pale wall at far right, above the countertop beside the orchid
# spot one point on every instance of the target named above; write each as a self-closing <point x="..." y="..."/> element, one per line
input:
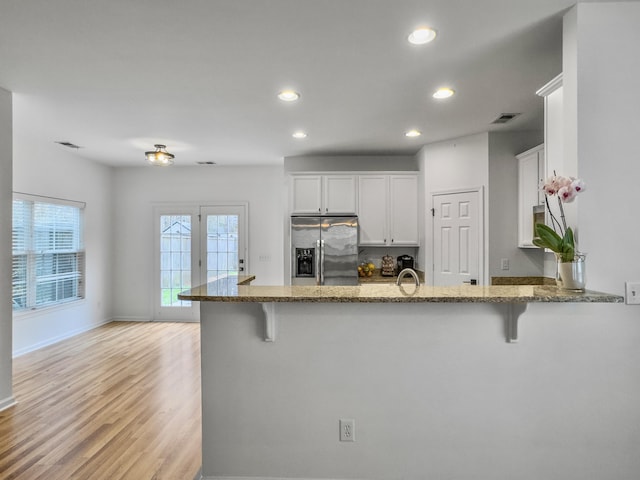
<point x="607" y="131"/>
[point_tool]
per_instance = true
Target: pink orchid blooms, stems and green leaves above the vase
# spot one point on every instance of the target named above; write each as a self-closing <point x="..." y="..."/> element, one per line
<point x="558" y="237"/>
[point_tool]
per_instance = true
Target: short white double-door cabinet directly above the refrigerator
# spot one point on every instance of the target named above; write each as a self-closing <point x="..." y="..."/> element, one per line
<point x="323" y="194"/>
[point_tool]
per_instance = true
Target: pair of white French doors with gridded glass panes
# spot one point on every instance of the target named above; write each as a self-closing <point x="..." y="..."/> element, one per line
<point x="195" y="245"/>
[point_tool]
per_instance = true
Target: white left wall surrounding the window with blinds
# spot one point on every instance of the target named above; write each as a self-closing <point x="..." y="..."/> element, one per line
<point x="52" y="170"/>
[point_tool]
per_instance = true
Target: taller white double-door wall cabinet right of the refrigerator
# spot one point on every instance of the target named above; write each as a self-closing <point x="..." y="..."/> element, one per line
<point x="388" y="210"/>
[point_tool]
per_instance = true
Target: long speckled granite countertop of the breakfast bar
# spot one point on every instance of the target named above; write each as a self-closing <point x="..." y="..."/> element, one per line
<point x="228" y="290"/>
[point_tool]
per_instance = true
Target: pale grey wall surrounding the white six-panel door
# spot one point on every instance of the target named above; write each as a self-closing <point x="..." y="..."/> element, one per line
<point x="484" y="160"/>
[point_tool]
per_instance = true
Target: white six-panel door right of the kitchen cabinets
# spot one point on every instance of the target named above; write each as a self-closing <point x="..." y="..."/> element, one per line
<point x="457" y="240"/>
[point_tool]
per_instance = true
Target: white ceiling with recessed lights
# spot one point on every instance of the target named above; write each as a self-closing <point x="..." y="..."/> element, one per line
<point x="201" y="76"/>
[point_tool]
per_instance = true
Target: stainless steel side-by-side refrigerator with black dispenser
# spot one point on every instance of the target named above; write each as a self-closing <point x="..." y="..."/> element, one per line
<point x="324" y="250"/>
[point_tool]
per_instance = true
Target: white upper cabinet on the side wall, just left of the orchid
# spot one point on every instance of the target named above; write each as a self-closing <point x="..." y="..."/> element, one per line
<point x="531" y="172"/>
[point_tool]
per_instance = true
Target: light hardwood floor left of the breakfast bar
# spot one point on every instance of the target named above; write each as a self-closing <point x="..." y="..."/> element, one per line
<point x="119" y="402"/>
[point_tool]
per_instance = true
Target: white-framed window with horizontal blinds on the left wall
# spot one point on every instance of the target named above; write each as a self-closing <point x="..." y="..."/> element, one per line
<point x="48" y="252"/>
